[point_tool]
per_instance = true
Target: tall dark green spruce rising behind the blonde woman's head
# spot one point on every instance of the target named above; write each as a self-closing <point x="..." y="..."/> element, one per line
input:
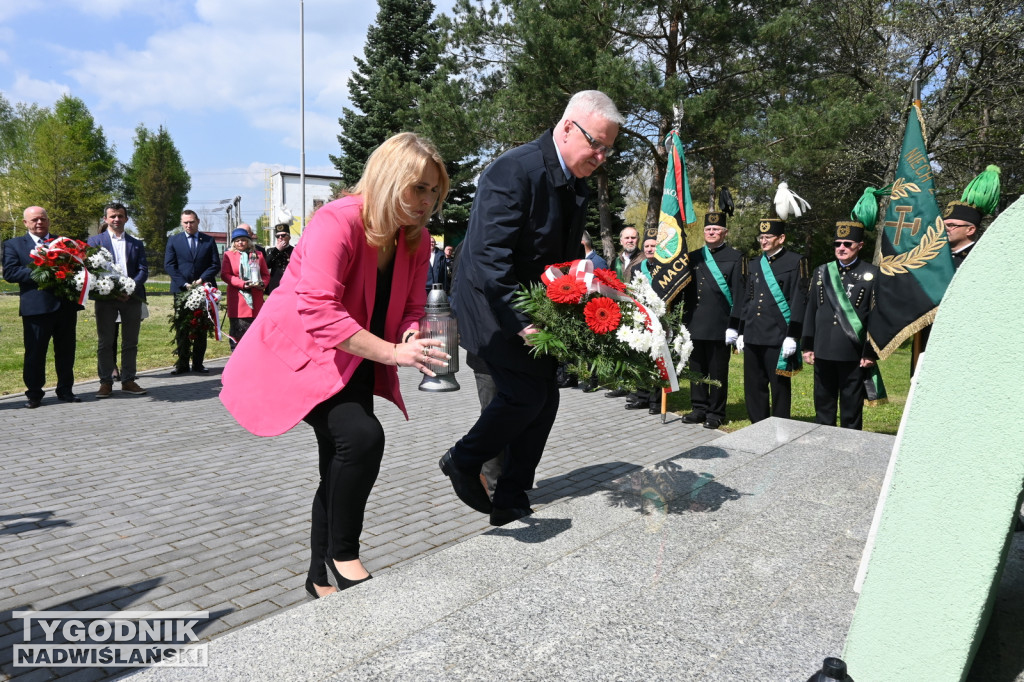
<point x="400" y="58"/>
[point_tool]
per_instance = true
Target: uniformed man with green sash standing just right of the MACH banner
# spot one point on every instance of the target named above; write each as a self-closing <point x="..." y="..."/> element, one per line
<point x="713" y="305"/>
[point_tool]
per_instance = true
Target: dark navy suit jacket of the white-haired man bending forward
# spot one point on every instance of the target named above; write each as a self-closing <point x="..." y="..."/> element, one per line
<point x="527" y="216"/>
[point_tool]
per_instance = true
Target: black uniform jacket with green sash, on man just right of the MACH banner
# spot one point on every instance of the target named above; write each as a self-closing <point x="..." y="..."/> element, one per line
<point x="707" y="311"/>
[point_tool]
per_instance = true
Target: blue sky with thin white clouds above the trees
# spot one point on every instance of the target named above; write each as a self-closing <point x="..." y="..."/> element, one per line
<point x="223" y="76"/>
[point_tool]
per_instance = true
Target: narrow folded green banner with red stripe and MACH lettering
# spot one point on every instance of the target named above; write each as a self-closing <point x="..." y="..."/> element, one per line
<point x="672" y="271"/>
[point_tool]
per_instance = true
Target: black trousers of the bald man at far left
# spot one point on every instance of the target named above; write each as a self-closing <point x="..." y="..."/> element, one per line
<point x="37" y="333"/>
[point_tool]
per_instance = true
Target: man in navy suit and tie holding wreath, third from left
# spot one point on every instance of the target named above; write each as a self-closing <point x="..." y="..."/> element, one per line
<point x="191" y="260"/>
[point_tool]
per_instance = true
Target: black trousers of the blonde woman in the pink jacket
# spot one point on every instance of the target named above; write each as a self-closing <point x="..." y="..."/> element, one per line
<point x="351" y="445"/>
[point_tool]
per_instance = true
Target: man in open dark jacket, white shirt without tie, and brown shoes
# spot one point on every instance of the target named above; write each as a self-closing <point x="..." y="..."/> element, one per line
<point x="130" y="258"/>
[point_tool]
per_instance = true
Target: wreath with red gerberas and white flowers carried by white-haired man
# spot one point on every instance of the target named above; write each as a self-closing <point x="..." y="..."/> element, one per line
<point x="600" y="327"/>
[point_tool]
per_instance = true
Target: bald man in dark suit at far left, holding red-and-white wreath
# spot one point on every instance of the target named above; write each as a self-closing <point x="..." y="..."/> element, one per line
<point x="45" y="317"/>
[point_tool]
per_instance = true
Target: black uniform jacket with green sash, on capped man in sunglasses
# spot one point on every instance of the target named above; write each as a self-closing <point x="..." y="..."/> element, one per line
<point x="823" y="333"/>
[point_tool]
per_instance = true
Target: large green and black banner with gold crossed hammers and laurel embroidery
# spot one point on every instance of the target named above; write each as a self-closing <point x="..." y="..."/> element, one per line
<point x="916" y="267"/>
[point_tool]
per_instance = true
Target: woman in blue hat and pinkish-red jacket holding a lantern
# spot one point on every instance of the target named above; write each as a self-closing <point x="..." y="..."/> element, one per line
<point x="246" y="275"/>
